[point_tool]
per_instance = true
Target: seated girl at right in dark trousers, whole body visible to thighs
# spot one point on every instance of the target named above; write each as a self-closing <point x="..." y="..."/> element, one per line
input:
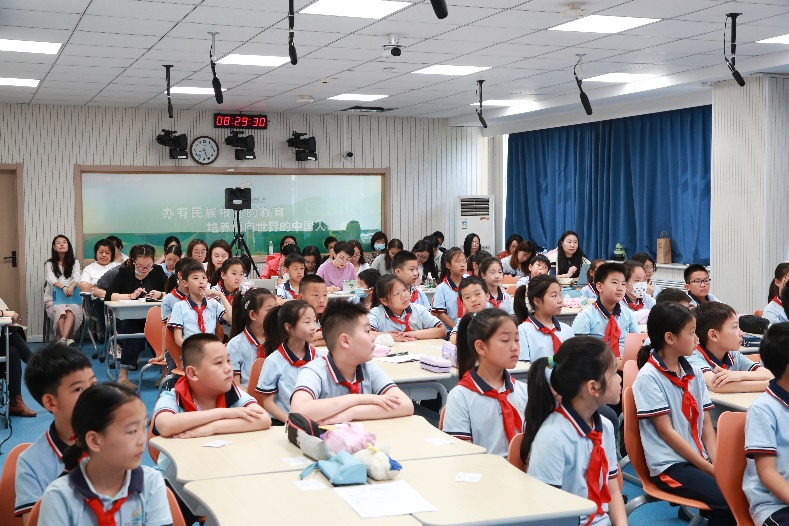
<point x="673" y="412"/>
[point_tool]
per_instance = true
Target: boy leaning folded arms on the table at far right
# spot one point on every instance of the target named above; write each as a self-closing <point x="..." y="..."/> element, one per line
<point x="726" y="369"/>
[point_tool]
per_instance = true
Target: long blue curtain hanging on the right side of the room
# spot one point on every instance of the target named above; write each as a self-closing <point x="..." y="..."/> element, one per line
<point x="617" y="181"/>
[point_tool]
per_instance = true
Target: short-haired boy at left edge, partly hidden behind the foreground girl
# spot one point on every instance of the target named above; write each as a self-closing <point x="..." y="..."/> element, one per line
<point x="55" y="375"/>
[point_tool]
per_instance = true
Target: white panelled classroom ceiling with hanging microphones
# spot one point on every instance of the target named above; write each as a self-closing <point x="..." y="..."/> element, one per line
<point x="113" y="51"/>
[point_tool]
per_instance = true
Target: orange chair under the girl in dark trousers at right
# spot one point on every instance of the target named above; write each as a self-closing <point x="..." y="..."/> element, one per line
<point x="635" y="451"/>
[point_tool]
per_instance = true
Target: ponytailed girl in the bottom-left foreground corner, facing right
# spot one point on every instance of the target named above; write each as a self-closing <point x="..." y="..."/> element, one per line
<point x="105" y="483"/>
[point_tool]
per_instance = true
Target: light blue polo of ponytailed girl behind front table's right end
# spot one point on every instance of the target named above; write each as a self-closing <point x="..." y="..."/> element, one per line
<point x="471" y="416"/>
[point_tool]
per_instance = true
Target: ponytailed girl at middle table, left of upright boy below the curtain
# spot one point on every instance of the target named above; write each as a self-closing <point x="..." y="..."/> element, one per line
<point x="540" y="333"/>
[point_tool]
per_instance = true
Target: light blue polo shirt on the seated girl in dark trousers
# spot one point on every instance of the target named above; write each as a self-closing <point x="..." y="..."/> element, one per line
<point x="655" y="395"/>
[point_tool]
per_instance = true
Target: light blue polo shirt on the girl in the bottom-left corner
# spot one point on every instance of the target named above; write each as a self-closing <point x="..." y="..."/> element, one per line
<point x="64" y="501"/>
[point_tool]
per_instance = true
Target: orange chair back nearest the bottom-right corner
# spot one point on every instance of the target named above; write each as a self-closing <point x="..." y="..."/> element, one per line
<point x="728" y="474"/>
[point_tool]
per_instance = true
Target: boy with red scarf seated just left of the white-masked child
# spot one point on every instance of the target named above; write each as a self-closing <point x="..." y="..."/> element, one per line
<point x="606" y="318"/>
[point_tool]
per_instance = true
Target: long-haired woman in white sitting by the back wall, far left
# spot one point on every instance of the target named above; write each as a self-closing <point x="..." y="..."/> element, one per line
<point x="62" y="272"/>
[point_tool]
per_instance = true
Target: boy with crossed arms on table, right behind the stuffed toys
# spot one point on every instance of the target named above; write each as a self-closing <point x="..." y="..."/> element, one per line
<point x="346" y="385"/>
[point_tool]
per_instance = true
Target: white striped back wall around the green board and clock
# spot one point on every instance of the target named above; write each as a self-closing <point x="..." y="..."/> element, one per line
<point x="431" y="163"/>
